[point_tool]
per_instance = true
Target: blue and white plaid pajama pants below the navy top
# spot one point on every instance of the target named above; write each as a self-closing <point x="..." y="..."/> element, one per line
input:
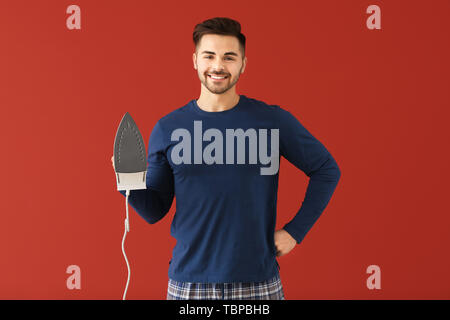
<point x="271" y="289"/>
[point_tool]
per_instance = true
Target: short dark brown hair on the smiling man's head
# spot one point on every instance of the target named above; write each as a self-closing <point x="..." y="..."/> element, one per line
<point x="222" y="26"/>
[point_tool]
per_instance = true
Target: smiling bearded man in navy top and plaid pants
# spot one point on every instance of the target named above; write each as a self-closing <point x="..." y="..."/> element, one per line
<point x="219" y="155"/>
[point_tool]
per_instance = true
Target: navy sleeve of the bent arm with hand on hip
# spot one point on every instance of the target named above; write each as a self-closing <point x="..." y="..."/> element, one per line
<point x="308" y="154"/>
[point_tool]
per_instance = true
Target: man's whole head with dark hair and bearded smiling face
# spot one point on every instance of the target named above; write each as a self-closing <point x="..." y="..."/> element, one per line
<point x="219" y="51"/>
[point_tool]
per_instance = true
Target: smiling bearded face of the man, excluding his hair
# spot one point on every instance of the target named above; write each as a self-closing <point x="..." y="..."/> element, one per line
<point x="219" y="56"/>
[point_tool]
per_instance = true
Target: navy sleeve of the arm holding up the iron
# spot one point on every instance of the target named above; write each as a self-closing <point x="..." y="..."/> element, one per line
<point x="154" y="203"/>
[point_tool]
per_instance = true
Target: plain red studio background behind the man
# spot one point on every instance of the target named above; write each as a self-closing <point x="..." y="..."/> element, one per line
<point x="377" y="99"/>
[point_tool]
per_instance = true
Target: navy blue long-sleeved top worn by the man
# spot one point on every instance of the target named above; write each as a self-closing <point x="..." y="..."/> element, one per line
<point x="222" y="167"/>
